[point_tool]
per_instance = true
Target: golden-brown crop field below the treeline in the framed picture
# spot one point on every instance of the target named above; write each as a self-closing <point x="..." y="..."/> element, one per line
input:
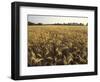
<point x="57" y="45"/>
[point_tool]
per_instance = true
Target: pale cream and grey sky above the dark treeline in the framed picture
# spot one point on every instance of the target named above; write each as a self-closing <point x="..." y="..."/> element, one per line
<point x="45" y="19"/>
